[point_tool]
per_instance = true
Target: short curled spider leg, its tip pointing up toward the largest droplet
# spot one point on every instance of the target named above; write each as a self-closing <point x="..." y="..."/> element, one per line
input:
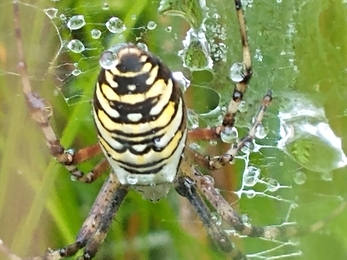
<point x="218" y="162"/>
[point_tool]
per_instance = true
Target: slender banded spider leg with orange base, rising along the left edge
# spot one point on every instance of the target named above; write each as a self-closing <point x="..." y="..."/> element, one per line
<point x="41" y="113"/>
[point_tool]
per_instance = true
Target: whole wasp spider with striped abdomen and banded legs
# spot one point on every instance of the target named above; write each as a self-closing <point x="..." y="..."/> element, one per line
<point x="141" y="120"/>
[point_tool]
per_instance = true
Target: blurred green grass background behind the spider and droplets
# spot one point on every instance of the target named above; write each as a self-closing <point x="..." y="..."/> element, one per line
<point x="299" y="50"/>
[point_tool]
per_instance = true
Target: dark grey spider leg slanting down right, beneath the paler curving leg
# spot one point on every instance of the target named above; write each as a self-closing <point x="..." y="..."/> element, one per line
<point x="186" y="187"/>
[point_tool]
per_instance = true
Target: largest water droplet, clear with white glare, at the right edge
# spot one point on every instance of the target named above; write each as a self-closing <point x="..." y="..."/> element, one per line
<point x="307" y="138"/>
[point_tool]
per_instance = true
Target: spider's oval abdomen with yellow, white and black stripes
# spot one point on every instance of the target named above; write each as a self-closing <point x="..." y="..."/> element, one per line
<point x="140" y="117"/>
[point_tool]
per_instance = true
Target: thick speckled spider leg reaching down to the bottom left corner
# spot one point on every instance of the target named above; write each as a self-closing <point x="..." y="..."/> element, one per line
<point x="94" y="228"/>
